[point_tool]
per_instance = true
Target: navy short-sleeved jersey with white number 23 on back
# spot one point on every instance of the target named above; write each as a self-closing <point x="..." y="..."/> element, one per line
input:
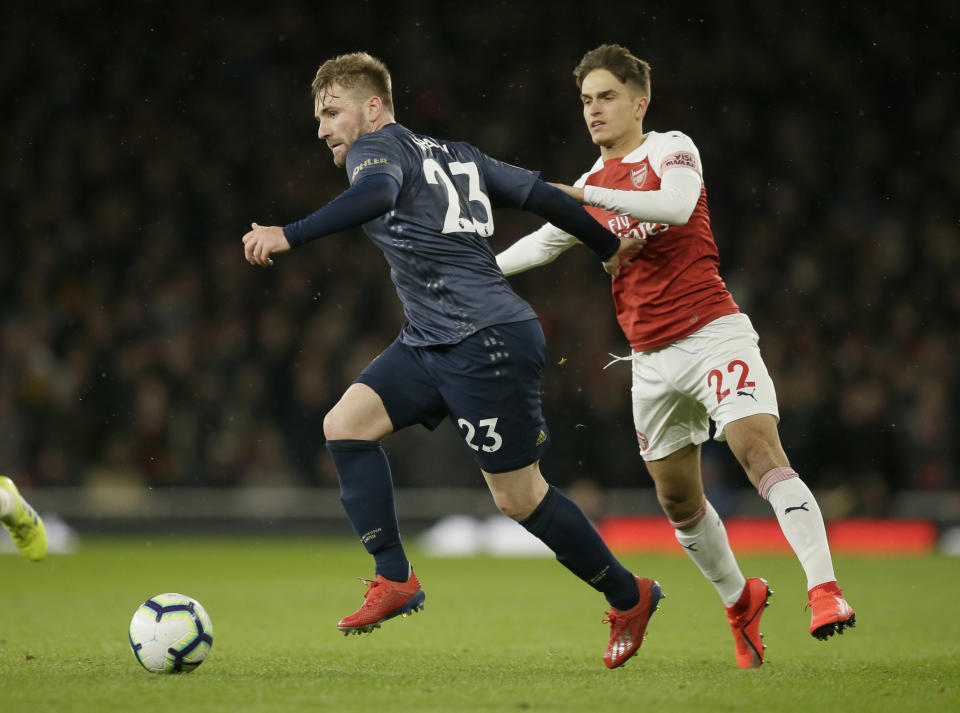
<point x="436" y="239"/>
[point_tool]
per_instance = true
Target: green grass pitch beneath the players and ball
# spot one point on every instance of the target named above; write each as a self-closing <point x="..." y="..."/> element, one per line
<point x="496" y="635"/>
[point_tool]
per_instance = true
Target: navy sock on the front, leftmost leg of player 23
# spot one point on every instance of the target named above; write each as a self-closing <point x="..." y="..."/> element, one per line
<point x="366" y="491"/>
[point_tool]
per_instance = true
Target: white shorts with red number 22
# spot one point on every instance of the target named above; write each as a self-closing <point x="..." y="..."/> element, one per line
<point x="715" y="373"/>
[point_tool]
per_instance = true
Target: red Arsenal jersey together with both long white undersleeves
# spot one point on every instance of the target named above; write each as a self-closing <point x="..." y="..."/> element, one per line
<point x="673" y="286"/>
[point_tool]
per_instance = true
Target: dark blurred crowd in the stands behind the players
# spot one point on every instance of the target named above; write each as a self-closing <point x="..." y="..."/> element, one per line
<point x="141" y="139"/>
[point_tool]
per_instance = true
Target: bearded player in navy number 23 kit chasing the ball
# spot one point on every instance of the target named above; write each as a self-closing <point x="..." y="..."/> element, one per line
<point x="470" y="350"/>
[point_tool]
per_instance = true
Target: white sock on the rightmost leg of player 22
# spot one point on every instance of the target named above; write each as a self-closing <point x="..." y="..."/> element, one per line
<point x="801" y="522"/>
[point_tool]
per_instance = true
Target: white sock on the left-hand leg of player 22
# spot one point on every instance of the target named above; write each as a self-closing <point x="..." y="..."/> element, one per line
<point x="706" y="543"/>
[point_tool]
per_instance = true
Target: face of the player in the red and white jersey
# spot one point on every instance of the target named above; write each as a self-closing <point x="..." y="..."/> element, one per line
<point x="612" y="111"/>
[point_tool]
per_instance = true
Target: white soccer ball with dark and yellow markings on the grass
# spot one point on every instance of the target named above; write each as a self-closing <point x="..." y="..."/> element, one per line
<point x="171" y="633"/>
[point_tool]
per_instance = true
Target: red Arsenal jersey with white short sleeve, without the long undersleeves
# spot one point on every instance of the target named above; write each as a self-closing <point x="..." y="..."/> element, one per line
<point x="673" y="286"/>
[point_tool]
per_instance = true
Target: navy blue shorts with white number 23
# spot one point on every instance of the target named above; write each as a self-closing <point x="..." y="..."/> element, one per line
<point x="488" y="385"/>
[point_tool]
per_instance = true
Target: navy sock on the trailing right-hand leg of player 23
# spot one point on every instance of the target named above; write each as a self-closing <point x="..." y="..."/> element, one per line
<point x="564" y="528"/>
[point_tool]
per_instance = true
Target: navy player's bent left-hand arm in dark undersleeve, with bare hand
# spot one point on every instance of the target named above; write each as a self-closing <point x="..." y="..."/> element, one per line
<point x="368" y="198"/>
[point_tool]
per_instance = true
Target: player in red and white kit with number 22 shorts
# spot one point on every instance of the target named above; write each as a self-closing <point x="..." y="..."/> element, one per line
<point x="695" y="356"/>
